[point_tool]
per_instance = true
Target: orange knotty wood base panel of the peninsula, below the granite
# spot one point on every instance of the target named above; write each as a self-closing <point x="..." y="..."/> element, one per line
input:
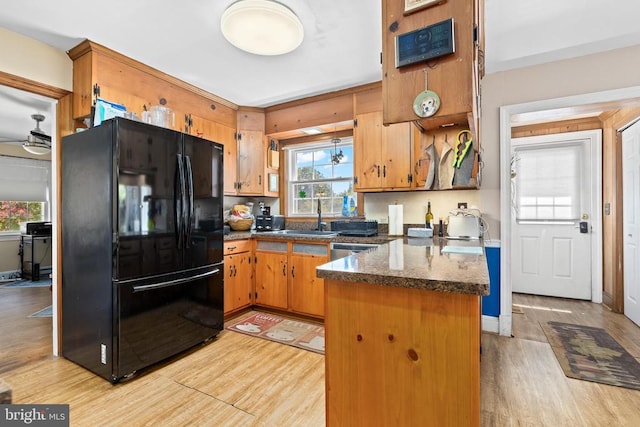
<point x="401" y="356"/>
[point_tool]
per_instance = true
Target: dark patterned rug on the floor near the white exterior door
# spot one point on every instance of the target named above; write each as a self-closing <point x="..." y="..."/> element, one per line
<point x="591" y="354"/>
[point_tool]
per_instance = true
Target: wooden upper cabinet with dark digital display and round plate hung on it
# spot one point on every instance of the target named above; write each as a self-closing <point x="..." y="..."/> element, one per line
<point x="453" y="77"/>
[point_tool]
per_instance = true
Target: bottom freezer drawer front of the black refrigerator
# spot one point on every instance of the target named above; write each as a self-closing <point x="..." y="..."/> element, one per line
<point x="161" y="317"/>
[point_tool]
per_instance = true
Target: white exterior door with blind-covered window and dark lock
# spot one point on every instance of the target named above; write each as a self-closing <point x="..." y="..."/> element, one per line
<point x="552" y="194"/>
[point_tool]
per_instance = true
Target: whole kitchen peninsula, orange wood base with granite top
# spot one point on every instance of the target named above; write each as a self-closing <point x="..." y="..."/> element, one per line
<point x="402" y="331"/>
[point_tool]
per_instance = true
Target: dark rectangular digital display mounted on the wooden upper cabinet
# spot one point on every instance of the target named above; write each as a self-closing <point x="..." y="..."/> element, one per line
<point x="426" y="43"/>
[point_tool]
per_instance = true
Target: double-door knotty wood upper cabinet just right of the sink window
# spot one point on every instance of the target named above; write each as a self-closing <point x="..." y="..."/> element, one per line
<point x="382" y="154"/>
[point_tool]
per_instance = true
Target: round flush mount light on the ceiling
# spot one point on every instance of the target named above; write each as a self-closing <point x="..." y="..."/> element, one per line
<point x="262" y="27"/>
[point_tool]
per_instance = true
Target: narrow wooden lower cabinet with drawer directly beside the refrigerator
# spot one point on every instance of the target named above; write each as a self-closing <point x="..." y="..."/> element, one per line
<point x="238" y="275"/>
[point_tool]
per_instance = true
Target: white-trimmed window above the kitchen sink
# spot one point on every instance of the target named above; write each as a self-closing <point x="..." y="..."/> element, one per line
<point x="320" y="170"/>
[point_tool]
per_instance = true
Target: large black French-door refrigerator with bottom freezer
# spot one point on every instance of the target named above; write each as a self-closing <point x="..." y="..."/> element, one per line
<point x="142" y="245"/>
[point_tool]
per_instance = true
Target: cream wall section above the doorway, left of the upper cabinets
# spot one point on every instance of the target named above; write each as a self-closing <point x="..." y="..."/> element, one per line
<point x="33" y="60"/>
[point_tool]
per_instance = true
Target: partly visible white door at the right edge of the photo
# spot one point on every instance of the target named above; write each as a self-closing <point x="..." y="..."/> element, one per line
<point x="631" y="220"/>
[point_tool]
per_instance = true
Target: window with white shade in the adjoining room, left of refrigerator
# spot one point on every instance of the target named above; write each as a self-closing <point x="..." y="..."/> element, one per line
<point x="24" y="192"/>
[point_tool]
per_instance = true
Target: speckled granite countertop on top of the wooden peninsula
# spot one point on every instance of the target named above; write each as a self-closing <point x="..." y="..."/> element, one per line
<point x="416" y="263"/>
